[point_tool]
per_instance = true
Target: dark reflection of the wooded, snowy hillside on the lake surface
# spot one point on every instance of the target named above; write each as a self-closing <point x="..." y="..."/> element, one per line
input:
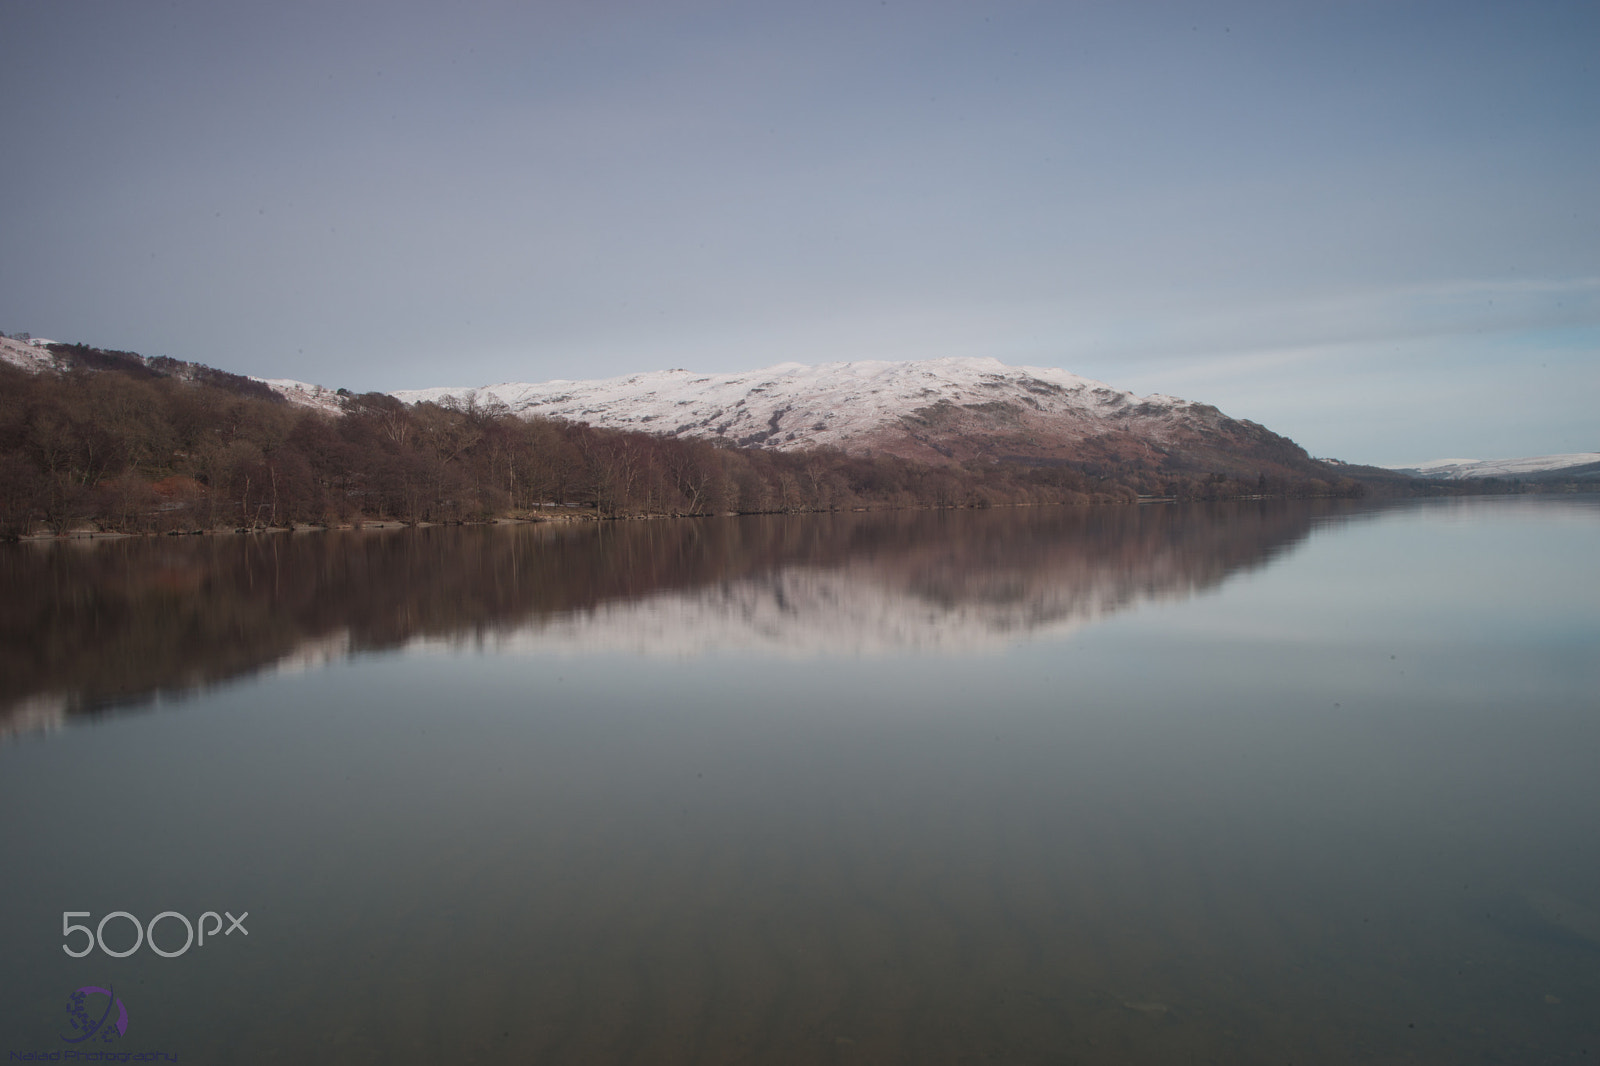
<point x="92" y="627"/>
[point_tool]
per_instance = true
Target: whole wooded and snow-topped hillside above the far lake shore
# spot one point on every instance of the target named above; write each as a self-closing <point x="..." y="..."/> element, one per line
<point x="95" y="439"/>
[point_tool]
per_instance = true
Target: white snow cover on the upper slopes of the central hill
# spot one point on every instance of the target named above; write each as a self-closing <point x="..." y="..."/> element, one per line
<point x="794" y="406"/>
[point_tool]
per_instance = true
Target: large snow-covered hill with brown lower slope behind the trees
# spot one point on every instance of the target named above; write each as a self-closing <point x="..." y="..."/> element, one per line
<point x="934" y="411"/>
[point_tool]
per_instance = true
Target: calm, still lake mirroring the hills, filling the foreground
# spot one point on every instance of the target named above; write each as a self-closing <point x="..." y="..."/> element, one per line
<point x="1281" y="782"/>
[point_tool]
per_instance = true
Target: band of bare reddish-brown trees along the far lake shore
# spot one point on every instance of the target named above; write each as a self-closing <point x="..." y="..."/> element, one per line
<point x="113" y="443"/>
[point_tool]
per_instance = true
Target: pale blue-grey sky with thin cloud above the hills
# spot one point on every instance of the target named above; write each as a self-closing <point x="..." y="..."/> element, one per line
<point x="1374" y="228"/>
